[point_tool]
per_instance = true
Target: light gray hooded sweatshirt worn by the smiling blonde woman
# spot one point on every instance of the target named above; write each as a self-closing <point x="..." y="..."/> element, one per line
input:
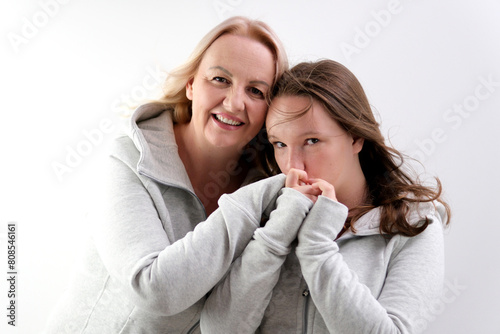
<point x="154" y="255"/>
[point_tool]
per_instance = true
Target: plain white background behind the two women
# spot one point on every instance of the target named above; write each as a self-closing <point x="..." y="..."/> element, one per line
<point x="65" y="69"/>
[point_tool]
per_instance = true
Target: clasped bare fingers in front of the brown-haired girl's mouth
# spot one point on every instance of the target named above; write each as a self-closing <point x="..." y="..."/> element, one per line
<point x="311" y="188"/>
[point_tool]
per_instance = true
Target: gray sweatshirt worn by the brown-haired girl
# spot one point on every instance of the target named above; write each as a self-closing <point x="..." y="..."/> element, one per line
<point x="360" y="283"/>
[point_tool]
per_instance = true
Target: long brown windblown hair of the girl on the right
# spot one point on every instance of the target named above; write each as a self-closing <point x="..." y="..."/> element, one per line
<point x="390" y="187"/>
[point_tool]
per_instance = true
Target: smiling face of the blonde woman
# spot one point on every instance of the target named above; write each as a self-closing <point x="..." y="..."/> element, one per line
<point x="228" y="91"/>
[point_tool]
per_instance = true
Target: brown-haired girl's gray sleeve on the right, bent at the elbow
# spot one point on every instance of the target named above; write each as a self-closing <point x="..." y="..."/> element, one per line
<point x="413" y="280"/>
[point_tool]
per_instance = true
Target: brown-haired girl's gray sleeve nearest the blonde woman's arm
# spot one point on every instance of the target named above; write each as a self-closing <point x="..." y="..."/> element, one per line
<point x="238" y="302"/>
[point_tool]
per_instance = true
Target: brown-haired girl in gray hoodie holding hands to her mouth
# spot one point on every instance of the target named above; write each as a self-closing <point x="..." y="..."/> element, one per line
<point x="357" y="246"/>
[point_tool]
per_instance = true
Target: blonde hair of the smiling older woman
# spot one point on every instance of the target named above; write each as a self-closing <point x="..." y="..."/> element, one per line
<point x="174" y="91"/>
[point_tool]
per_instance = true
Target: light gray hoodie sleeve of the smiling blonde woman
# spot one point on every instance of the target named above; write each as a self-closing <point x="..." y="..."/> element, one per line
<point x="162" y="277"/>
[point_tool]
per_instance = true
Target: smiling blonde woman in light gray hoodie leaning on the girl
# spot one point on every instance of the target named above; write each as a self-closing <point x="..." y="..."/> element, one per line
<point x="146" y="270"/>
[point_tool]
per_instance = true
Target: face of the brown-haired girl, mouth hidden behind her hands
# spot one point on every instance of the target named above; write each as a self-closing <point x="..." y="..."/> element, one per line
<point x="315" y="142"/>
